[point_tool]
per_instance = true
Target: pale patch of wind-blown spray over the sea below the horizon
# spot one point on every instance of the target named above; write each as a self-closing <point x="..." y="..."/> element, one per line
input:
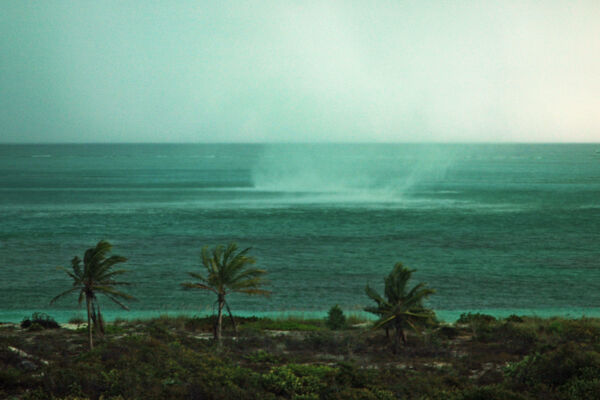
<point x="351" y="173"/>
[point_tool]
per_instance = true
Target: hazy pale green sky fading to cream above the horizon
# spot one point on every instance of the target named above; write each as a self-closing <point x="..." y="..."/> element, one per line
<point x="299" y="71"/>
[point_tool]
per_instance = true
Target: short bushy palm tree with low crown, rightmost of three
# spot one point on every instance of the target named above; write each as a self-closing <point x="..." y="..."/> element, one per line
<point x="401" y="308"/>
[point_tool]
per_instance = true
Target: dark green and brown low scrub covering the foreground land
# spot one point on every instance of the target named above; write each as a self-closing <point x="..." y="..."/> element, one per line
<point x="175" y="357"/>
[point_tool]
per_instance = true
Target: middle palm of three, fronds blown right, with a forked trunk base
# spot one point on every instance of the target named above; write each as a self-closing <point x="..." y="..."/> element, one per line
<point x="226" y="273"/>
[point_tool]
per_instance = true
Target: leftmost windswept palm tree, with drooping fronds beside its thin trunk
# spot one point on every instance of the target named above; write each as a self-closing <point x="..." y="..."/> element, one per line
<point x="97" y="276"/>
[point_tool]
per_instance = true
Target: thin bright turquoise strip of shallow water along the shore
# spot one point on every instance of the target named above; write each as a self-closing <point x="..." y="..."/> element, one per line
<point x="449" y="316"/>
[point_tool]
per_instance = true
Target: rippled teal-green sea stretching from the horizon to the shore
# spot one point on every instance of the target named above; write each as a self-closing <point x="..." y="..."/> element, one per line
<point x="502" y="228"/>
